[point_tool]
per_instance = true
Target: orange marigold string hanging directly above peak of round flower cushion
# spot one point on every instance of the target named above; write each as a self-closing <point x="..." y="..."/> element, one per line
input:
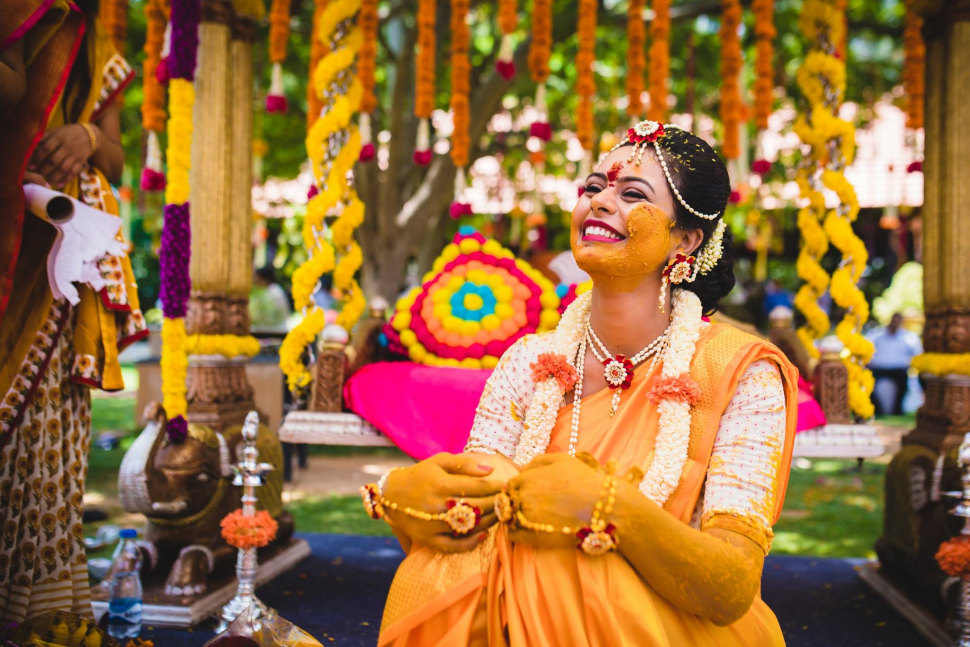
<point x="460" y="90"/>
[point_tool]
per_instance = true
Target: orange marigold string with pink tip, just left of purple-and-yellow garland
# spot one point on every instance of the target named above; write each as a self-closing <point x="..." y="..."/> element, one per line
<point x="153" y="105"/>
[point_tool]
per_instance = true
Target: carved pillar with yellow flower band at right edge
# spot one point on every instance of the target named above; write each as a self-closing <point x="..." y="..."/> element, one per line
<point x="945" y="365"/>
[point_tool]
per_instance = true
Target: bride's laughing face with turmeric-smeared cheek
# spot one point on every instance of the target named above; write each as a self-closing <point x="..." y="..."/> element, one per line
<point x="623" y="227"/>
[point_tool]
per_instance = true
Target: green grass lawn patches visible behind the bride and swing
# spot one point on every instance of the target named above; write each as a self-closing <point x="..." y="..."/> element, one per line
<point x="831" y="509"/>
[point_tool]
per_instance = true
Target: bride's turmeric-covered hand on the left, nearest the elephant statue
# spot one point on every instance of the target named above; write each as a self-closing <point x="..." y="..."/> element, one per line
<point x="429" y="486"/>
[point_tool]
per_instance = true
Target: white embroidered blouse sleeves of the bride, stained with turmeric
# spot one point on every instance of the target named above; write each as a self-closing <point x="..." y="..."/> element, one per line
<point x="743" y="471"/>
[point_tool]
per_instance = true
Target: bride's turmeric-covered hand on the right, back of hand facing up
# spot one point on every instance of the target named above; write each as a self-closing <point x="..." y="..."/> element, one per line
<point x="556" y="489"/>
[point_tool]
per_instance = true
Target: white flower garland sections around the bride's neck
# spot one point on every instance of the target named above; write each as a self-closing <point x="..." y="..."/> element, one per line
<point x="673" y="437"/>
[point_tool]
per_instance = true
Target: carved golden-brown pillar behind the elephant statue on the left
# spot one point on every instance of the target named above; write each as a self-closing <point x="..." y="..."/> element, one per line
<point x="219" y="393"/>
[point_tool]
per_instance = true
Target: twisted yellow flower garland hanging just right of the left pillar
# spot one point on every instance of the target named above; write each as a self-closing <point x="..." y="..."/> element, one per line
<point x="339" y="32"/>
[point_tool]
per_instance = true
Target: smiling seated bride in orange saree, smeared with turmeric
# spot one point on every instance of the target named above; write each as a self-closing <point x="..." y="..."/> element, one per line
<point x="623" y="472"/>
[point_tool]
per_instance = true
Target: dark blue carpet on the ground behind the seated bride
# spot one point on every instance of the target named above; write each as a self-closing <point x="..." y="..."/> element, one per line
<point x="337" y="595"/>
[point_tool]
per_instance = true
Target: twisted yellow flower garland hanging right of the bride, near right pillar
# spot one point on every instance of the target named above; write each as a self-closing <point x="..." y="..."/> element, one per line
<point x="832" y="142"/>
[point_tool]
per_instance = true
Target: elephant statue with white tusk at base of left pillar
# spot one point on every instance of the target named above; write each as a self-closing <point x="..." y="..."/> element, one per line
<point x="184" y="488"/>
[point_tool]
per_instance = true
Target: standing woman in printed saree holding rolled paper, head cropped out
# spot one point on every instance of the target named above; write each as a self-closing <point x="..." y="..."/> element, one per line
<point x="54" y="348"/>
